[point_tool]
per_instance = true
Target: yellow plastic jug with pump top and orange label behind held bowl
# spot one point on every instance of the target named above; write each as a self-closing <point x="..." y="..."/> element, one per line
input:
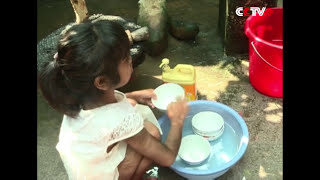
<point x="182" y="74"/>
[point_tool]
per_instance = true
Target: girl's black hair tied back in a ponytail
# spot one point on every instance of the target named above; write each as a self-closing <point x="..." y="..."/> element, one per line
<point x="85" y="51"/>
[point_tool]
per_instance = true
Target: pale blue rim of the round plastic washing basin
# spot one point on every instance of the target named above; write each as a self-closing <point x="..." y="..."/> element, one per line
<point x="243" y="143"/>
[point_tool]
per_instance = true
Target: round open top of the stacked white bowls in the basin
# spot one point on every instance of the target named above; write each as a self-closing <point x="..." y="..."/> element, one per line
<point x="207" y="121"/>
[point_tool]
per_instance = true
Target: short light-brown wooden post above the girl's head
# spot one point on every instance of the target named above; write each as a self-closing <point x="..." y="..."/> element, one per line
<point x="80" y="9"/>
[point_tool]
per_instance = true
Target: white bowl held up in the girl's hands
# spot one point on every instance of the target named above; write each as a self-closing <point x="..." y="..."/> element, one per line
<point x="167" y="93"/>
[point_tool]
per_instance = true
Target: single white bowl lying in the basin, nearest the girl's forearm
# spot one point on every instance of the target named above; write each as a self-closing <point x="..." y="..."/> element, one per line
<point x="194" y="149"/>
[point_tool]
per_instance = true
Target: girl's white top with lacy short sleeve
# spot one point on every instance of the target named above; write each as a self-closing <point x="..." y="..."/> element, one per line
<point x="83" y="141"/>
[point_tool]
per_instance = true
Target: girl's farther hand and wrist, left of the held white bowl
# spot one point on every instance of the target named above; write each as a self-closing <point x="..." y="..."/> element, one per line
<point x="143" y="96"/>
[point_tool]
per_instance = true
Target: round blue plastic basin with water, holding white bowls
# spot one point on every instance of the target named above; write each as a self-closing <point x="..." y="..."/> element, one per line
<point x="226" y="151"/>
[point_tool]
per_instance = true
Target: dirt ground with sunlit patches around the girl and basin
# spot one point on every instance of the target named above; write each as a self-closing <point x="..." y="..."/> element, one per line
<point x="219" y="78"/>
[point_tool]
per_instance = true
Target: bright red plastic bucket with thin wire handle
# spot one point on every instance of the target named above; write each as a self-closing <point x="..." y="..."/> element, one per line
<point x="265" y="36"/>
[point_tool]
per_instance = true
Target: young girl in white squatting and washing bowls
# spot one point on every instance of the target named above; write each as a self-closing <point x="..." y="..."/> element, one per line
<point x="102" y="135"/>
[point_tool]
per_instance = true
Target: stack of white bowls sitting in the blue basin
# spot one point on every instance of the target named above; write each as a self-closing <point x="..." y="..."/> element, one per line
<point x="208" y="124"/>
